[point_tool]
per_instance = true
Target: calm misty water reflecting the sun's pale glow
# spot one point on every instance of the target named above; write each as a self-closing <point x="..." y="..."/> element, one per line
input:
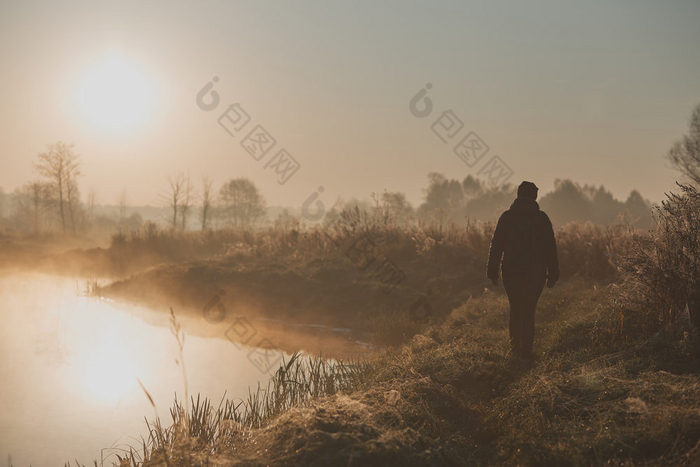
<point x="69" y="366"/>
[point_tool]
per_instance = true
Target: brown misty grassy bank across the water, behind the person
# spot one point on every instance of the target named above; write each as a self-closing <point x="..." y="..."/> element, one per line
<point x="372" y="278"/>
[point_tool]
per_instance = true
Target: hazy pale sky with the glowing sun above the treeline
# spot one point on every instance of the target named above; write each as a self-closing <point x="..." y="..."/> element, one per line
<point x="595" y="91"/>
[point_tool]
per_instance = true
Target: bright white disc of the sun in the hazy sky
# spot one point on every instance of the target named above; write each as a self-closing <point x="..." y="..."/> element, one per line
<point x="116" y="95"/>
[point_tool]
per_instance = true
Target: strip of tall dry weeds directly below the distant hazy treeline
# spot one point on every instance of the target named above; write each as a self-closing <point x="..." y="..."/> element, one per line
<point x="586" y="249"/>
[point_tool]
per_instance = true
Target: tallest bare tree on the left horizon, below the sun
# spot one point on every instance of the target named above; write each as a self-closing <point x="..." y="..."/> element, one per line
<point x="60" y="166"/>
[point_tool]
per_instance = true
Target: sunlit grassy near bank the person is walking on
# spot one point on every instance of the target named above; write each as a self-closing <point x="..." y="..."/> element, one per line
<point x="597" y="394"/>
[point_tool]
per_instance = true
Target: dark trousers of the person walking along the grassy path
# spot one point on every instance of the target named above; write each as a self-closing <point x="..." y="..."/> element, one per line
<point x="523" y="291"/>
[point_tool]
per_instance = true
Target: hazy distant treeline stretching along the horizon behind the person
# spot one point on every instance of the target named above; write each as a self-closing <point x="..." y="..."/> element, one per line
<point x="35" y="208"/>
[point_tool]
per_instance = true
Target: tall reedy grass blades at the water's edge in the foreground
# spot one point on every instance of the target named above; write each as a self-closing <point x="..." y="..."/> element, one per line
<point x="202" y="429"/>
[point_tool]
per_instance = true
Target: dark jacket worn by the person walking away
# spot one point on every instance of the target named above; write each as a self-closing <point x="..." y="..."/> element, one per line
<point x="524" y="238"/>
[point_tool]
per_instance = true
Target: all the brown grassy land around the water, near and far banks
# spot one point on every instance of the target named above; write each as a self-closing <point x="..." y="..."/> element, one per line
<point x="615" y="378"/>
